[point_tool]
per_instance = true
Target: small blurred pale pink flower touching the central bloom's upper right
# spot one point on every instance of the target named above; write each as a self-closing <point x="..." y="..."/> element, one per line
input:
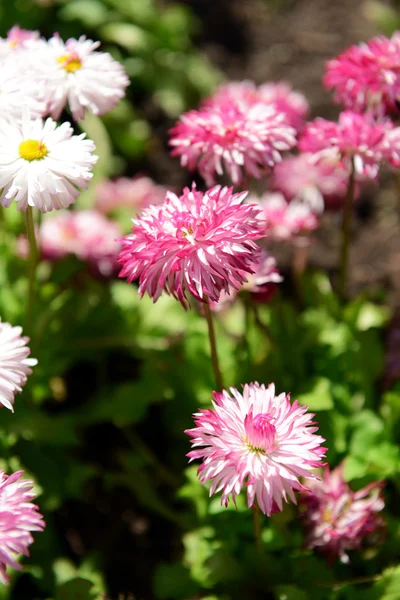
<point x="285" y="220"/>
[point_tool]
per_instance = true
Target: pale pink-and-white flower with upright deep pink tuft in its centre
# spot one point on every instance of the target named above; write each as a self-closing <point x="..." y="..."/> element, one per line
<point x="257" y="440"/>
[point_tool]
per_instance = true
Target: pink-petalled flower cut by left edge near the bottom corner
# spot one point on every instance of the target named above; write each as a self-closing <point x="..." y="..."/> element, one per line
<point x="18" y="517"/>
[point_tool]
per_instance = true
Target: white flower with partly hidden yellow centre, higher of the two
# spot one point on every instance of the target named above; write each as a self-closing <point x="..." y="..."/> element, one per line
<point x="78" y="75"/>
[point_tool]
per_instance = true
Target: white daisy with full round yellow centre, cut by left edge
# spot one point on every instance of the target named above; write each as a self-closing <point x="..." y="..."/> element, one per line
<point x="42" y="165"/>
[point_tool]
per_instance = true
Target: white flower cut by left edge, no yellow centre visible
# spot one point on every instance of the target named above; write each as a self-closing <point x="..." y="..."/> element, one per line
<point x="14" y="363"/>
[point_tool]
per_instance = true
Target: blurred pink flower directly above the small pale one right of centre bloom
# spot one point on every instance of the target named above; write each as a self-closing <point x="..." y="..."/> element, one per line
<point x="321" y="184"/>
